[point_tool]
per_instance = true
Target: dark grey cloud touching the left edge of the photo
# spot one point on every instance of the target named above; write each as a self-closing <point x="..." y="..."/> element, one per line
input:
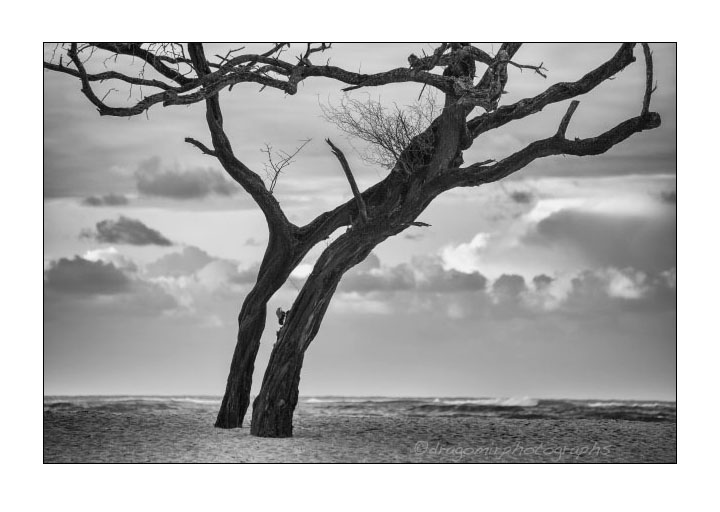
<point x="83" y="277"/>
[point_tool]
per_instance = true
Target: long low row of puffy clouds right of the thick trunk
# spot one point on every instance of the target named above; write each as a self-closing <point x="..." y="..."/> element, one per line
<point x="425" y="287"/>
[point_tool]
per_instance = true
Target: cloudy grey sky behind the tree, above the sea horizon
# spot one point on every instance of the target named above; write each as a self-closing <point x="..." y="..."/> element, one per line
<point x="557" y="282"/>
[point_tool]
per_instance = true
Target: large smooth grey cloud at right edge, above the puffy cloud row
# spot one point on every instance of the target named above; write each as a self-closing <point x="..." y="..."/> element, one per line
<point x="646" y="243"/>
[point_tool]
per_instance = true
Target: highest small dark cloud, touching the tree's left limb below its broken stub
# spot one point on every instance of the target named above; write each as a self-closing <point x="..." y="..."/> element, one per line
<point x="194" y="183"/>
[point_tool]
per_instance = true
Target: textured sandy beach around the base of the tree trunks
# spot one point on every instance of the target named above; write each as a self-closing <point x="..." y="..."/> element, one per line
<point x="168" y="433"/>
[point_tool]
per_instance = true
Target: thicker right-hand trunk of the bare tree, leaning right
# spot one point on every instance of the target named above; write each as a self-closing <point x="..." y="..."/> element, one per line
<point x="275" y="404"/>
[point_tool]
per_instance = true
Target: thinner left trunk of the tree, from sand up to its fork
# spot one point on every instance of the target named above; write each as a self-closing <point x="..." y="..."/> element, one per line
<point x="278" y="262"/>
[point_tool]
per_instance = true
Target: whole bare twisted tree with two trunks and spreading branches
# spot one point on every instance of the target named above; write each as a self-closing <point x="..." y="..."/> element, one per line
<point x="429" y="163"/>
